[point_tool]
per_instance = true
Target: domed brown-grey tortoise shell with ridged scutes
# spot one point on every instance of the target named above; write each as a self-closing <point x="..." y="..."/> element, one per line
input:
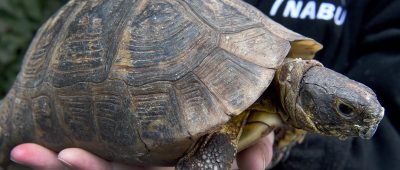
<point x="140" y="81"/>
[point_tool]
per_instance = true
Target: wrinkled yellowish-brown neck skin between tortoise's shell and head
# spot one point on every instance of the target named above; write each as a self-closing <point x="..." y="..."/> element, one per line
<point x="287" y="80"/>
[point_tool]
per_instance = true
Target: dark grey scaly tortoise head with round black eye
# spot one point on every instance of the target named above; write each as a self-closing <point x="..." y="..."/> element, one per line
<point x="321" y="100"/>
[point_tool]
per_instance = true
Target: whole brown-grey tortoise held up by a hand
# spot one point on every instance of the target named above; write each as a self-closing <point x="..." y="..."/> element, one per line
<point x="175" y="82"/>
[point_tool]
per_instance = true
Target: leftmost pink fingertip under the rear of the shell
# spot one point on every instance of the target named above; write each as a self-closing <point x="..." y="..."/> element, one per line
<point x="36" y="157"/>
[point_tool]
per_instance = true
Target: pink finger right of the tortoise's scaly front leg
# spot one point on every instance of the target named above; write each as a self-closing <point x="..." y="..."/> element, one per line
<point x="258" y="156"/>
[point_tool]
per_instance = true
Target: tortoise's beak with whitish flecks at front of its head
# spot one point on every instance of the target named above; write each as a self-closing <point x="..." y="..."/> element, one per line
<point x="367" y="133"/>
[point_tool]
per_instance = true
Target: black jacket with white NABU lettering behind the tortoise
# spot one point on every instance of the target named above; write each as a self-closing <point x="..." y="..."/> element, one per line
<point x="361" y="39"/>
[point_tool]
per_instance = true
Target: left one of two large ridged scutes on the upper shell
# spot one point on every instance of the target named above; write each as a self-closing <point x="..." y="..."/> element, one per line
<point x="84" y="53"/>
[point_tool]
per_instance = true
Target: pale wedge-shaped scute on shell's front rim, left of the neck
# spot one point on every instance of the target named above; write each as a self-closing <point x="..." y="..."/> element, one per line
<point x="229" y="79"/>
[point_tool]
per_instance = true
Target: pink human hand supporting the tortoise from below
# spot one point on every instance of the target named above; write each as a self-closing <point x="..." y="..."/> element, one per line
<point x="256" y="157"/>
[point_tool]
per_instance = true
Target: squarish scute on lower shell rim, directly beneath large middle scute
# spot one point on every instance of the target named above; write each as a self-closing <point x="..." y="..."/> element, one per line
<point x="158" y="114"/>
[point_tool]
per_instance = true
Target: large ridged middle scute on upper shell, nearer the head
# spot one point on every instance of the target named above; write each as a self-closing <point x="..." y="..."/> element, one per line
<point x="162" y="44"/>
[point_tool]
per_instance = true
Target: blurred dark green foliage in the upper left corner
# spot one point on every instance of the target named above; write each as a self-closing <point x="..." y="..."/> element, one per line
<point x="19" y="20"/>
